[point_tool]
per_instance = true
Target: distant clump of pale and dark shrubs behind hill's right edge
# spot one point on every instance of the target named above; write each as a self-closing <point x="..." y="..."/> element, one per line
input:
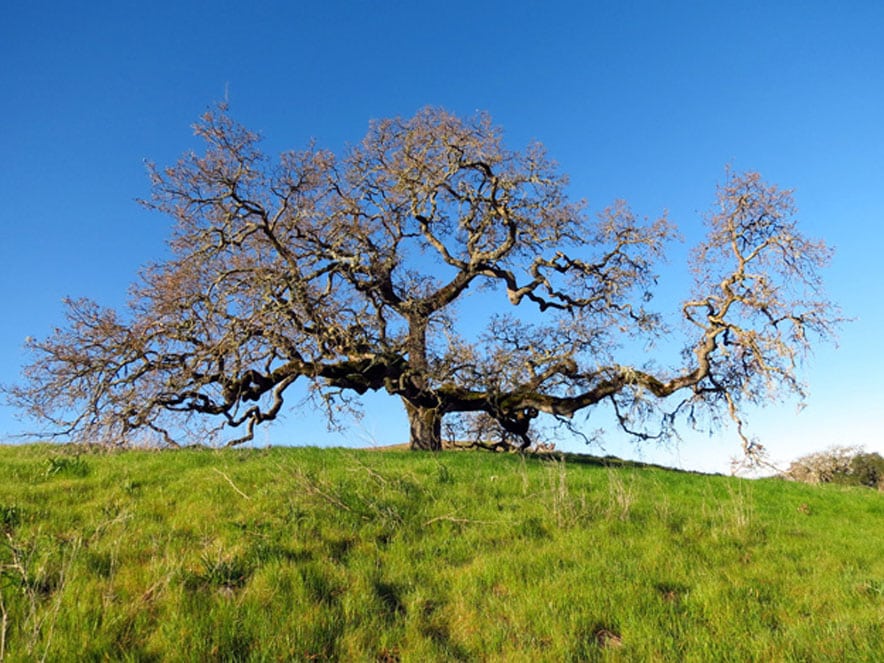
<point x="844" y="465"/>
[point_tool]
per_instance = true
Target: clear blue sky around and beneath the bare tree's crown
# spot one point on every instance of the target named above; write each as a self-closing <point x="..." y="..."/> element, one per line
<point x="646" y="101"/>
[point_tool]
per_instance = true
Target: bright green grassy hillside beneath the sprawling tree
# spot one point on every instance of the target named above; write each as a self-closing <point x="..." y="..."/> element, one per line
<point x="309" y="554"/>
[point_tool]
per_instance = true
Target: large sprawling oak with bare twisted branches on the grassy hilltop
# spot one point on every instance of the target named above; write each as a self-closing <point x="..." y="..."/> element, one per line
<point x="347" y="273"/>
